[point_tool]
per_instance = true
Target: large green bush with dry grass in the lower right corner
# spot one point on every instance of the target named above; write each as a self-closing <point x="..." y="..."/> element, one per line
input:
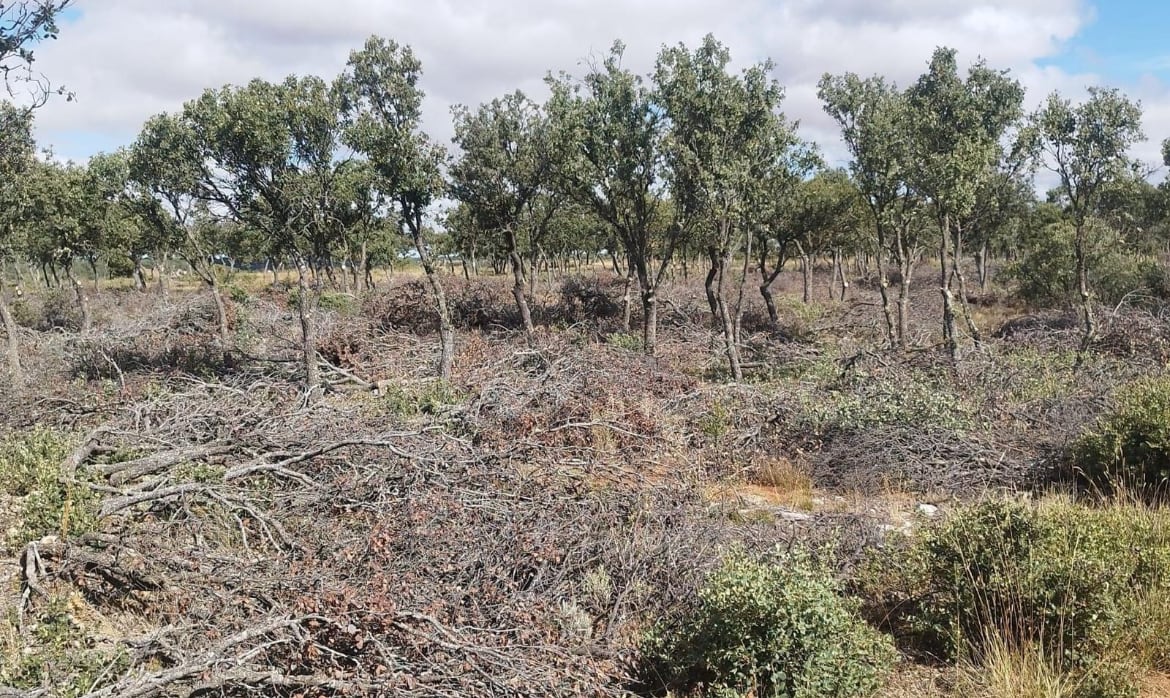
<point x="1064" y="578"/>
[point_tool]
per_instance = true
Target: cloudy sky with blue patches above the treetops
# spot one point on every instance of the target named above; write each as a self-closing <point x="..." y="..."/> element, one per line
<point x="129" y="59"/>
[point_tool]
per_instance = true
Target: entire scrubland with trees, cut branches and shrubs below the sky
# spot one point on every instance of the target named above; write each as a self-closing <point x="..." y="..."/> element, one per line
<point x="658" y="406"/>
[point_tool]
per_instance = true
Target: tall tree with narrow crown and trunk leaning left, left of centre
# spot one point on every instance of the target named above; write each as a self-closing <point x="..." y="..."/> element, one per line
<point x="383" y="108"/>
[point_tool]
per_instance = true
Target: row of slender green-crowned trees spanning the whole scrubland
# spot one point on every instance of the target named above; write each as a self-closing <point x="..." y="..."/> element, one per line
<point x="689" y="165"/>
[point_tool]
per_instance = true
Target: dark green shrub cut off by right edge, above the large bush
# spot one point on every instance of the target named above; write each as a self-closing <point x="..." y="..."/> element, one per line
<point x="1132" y="443"/>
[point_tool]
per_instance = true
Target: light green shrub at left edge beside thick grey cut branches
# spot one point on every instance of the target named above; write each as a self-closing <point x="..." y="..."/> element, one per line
<point x="31" y="469"/>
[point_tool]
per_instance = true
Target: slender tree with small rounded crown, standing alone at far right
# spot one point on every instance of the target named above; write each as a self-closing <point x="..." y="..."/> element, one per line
<point x="1088" y="147"/>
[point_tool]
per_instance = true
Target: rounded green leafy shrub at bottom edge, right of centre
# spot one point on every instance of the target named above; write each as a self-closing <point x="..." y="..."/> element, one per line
<point x="770" y="631"/>
